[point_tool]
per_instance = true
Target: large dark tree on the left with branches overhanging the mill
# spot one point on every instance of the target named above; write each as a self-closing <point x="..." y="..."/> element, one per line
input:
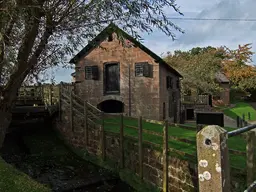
<point x="38" y="34"/>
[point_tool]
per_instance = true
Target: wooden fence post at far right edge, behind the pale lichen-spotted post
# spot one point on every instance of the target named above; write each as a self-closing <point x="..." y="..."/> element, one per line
<point x="251" y="157"/>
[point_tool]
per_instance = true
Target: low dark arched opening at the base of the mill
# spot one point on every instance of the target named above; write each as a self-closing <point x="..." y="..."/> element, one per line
<point x="111" y="106"/>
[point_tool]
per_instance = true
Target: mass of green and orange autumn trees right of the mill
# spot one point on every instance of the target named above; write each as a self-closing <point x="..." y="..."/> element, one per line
<point x="200" y="65"/>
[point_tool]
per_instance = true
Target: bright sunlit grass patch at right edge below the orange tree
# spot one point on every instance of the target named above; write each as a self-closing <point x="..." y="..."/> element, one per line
<point x="240" y="109"/>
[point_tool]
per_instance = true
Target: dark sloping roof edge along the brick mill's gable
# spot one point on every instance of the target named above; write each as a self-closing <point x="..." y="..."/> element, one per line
<point x="109" y="30"/>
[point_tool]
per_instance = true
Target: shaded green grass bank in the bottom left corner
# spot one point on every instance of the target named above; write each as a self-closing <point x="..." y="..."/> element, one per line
<point x="12" y="180"/>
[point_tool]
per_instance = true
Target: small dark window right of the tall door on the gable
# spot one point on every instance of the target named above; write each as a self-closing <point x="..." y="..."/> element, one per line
<point x="143" y="69"/>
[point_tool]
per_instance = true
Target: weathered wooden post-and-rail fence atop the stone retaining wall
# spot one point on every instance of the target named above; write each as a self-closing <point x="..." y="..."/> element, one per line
<point x="93" y="116"/>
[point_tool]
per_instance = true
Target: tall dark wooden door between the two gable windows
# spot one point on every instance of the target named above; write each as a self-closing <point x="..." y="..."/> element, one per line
<point x="111" y="78"/>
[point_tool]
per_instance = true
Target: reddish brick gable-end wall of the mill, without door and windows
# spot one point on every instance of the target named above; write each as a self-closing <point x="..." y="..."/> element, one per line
<point x="145" y="97"/>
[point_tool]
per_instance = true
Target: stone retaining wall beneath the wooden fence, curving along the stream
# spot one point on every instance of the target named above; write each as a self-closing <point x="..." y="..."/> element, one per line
<point x="182" y="174"/>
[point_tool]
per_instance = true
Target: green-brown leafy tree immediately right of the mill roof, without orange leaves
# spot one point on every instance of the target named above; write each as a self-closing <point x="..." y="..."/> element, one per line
<point x="198" y="67"/>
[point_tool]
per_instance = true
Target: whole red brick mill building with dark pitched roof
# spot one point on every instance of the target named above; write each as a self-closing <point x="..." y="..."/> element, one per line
<point x="124" y="76"/>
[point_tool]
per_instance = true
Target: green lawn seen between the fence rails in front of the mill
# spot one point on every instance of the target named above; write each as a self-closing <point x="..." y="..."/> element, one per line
<point x="236" y="143"/>
